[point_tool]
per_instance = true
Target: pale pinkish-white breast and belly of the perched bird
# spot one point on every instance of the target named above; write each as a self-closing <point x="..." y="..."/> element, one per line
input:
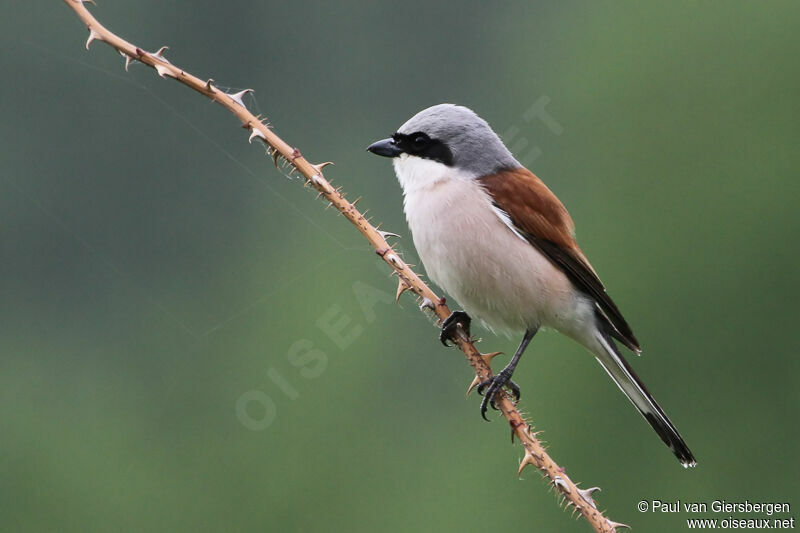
<point x="495" y="275"/>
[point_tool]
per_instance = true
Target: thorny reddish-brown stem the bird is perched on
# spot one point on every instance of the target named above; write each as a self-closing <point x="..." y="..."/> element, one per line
<point x="580" y="499"/>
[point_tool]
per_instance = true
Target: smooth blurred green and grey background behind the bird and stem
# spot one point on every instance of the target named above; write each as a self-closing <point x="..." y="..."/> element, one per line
<point x="162" y="283"/>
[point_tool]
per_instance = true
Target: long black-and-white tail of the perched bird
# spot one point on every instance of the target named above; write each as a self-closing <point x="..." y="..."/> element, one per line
<point x="627" y="380"/>
